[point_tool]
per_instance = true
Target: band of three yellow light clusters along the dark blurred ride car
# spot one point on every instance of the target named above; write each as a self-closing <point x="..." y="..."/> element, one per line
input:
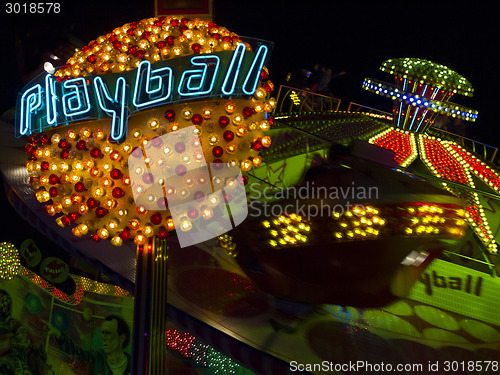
<point x="367" y="222"/>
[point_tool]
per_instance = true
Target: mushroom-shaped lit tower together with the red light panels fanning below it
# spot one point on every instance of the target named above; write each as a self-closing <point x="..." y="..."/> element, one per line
<point x="421" y="93"/>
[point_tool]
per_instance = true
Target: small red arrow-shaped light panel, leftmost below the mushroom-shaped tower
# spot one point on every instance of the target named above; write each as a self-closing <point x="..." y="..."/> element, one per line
<point x="403" y="143"/>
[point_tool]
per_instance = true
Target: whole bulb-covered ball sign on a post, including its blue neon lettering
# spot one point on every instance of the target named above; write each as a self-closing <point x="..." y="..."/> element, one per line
<point x="81" y="171"/>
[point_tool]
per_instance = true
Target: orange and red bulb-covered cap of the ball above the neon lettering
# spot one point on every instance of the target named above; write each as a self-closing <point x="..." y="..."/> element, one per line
<point x="154" y="39"/>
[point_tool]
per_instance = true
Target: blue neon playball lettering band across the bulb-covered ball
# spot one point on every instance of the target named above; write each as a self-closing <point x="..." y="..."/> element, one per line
<point x="46" y="103"/>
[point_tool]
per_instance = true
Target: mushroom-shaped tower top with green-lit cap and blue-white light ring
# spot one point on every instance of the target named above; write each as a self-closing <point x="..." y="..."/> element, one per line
<point x="422" y="92"/>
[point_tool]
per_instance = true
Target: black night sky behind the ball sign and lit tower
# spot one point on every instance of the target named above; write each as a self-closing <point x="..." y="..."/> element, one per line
<point x="351" y="36"/>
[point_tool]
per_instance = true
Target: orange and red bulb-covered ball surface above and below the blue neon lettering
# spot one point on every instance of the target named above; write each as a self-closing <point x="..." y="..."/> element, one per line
<point x="82" y="176"/>
